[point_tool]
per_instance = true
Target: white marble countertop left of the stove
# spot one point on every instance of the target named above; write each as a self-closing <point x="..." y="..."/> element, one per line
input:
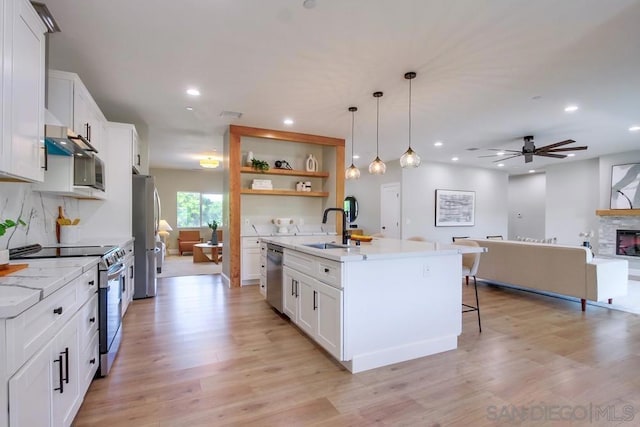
<point x="24" y="288"/>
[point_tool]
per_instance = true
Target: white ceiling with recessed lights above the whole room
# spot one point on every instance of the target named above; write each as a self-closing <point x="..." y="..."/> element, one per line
<point x="488" y="72"/>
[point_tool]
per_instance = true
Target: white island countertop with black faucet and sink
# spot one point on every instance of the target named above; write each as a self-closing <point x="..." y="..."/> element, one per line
<point x="378" y="248"/>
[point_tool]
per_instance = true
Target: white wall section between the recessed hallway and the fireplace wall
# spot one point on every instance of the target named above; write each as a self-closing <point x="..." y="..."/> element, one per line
<point x="572" y="199"/>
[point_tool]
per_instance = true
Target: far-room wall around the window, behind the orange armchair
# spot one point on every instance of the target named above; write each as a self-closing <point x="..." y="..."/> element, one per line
<point x="170" y="181"/>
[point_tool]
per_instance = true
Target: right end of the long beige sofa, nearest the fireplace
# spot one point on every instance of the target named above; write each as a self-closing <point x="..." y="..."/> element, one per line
<point x="607" y="278"/>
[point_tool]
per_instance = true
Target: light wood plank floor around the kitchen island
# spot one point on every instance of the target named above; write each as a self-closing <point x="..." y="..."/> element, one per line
<point x="200" y="354"/>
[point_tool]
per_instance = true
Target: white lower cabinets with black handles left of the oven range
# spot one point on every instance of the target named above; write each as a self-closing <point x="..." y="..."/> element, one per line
<point x="52" y="355"/>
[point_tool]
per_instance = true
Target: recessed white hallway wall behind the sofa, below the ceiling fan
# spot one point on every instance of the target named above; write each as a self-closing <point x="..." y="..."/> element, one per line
<point x="527" y="204"/>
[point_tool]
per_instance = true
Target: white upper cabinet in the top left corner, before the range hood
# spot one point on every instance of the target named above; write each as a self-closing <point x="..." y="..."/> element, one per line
<point x="23" y="66"/>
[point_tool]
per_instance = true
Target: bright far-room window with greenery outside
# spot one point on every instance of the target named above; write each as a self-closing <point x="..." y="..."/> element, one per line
<point x="197" y="209"/>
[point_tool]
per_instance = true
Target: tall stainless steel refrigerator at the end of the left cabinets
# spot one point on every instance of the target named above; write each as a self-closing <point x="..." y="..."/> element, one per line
<point x="146" y="218"/>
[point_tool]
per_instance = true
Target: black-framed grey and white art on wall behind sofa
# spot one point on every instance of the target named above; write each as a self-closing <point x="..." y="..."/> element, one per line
<point x="455" y="208"/>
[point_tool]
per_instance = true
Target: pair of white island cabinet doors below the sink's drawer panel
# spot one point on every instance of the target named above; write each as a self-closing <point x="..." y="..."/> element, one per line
<point x="314" y="307"/>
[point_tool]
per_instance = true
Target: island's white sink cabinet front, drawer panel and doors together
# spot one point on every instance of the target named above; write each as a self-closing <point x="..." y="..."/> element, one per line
<point x="314" y="306"/>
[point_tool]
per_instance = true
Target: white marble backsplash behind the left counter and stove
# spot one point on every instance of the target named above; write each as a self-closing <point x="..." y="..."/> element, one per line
<point x="38" y="210"/>
